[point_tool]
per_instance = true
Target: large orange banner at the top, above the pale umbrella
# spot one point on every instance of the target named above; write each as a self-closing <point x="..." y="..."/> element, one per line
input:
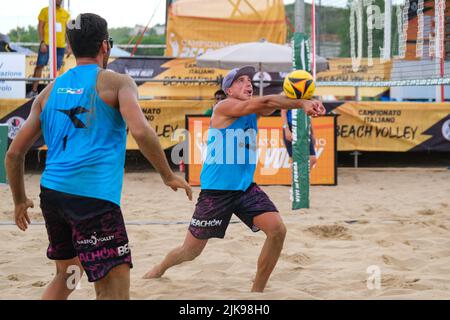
<point x="196" y="26"/>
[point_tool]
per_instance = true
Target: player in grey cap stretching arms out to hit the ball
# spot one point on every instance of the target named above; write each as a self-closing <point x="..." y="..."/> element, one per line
<point x="227" y="176"/>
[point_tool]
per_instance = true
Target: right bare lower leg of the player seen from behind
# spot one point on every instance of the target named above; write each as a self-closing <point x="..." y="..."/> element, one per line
<point x="116" y="284"/>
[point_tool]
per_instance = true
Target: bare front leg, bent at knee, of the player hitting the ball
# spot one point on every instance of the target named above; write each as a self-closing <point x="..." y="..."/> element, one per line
<point x="273" y="226"/>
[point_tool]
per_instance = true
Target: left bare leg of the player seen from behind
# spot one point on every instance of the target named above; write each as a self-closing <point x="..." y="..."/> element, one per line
<point x="61" y="286"/>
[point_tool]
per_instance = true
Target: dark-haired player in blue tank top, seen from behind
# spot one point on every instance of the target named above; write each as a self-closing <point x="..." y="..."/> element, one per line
<point x="83" y="117"/>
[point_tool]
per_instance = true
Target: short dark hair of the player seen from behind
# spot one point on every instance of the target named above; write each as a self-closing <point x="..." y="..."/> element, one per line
<point x="86" y="34"/>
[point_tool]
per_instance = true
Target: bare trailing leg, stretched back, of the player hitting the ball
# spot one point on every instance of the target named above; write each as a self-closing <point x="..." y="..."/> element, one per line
<point x="191" y="248"/>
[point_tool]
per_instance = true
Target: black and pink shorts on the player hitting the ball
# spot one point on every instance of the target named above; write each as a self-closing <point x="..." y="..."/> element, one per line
<point x="214" y="209"/>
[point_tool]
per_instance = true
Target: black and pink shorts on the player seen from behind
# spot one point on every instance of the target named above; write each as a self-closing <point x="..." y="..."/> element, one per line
<point x="92" y="229"/>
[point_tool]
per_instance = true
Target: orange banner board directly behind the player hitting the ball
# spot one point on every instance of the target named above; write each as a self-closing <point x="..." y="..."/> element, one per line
<point x="274" y="164"/>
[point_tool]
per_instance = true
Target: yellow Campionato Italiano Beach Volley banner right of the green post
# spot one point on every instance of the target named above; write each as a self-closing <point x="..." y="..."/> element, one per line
<point x="392" y="126"/>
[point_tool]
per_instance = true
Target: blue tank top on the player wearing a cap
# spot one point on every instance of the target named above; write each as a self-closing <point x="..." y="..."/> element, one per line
<point x="231" y="156"/>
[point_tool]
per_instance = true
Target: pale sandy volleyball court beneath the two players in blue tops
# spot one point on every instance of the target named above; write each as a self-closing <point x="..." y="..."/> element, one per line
<point x="395" y="219"/>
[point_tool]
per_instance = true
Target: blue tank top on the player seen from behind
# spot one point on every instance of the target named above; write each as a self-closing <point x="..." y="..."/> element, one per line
<point x="86" y="138"/>
